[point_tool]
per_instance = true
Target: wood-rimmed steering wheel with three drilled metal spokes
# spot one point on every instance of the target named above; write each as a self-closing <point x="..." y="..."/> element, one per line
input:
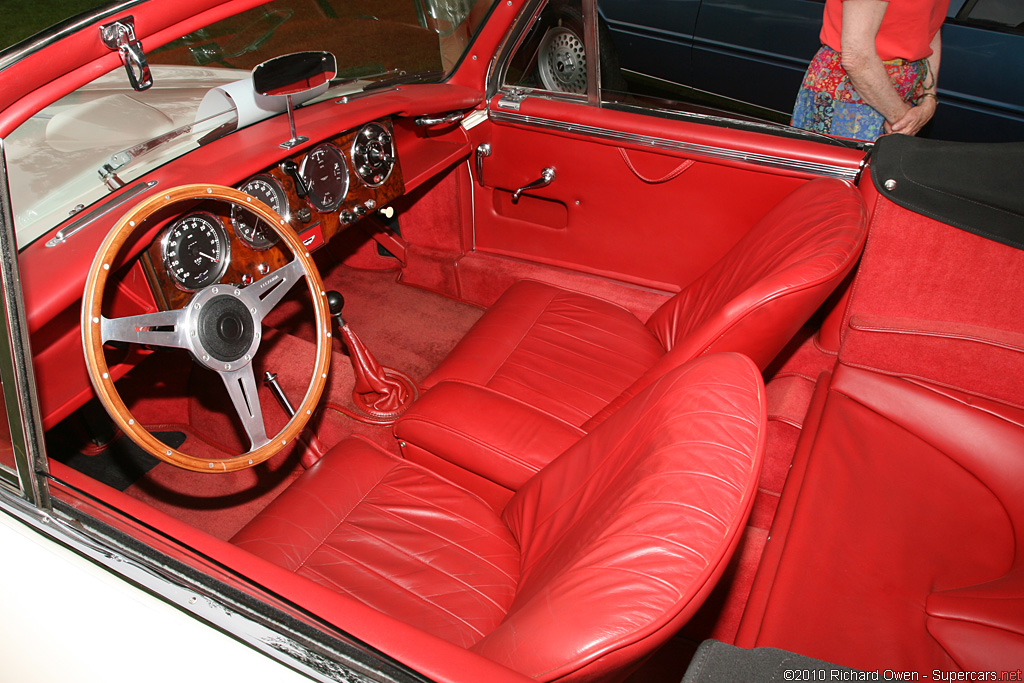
<point x="221" y="327"/>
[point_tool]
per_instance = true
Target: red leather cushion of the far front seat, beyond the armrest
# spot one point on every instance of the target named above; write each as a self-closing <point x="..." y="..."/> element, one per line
<point x="561" y="352"/>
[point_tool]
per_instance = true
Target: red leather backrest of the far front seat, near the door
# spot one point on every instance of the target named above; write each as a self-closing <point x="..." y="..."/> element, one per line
<point x="757" y="297"/>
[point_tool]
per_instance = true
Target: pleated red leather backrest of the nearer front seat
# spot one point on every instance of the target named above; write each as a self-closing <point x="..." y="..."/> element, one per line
<point x="625" y="534"/>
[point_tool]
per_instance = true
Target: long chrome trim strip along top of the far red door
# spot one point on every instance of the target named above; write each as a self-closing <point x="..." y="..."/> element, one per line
<point x="677" y="146"/>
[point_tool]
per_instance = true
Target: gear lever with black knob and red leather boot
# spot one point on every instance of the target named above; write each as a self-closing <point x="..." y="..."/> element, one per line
<point x="382" y="394"/>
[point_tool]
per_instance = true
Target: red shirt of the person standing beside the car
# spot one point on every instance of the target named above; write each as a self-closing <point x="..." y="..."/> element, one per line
<point x="907" y="29"/>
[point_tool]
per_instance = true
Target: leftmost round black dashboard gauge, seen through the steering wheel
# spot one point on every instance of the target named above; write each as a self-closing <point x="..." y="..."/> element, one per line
<point x="196" y="251"/>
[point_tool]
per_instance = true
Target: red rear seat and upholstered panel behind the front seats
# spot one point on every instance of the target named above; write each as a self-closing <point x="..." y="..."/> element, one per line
<point x="911" y="489"/>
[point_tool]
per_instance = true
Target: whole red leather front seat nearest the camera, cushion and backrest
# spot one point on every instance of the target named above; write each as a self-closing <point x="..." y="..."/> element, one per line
<point x="593" y="565"/>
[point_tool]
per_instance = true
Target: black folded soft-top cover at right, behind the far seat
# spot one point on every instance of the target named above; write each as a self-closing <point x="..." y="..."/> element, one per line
<point x="978" y="188"/>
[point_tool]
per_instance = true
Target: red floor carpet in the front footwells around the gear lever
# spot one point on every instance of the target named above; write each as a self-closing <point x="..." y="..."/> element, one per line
<point x="406" y="328"/>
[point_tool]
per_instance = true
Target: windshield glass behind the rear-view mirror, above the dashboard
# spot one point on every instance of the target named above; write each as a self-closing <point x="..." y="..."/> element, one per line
<point x="105" y="135"/>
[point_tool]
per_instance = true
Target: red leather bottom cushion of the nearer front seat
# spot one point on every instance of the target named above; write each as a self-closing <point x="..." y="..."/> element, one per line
<point x="396" y="537"/>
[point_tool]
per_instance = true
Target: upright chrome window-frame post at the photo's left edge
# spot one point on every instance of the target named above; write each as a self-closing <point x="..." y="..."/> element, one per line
<point x="16" y="361"/>
